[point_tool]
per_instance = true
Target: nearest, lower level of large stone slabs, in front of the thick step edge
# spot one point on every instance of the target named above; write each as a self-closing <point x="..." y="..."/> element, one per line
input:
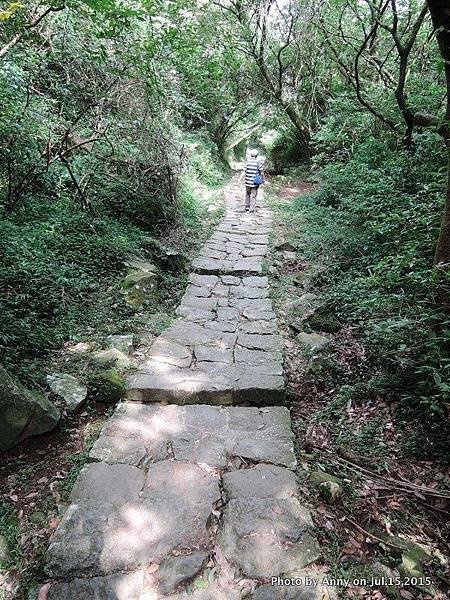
<point x="177" y="491"/>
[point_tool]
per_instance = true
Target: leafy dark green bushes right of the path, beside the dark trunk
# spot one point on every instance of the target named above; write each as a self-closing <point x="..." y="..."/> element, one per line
<point x="375" y="220"/>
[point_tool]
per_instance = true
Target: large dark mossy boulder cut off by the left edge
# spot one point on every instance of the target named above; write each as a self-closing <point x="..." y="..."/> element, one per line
<point x="22" y="412"/>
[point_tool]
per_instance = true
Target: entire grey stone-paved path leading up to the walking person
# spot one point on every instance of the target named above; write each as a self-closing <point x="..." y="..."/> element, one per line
<point x="198" y="500"/>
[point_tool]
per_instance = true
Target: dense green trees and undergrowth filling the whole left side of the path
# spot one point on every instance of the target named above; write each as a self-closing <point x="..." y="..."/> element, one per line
<point x="98" y="161"/>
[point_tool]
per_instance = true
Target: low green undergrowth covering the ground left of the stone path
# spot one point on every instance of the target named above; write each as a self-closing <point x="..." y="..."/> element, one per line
<point x="61" y="267"/>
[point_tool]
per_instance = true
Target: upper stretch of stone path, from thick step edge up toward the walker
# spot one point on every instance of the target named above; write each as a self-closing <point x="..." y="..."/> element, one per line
<point x="224" y="347"/>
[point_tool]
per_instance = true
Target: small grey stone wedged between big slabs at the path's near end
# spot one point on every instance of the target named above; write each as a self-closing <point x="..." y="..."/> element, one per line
<point x="175" y="570"/>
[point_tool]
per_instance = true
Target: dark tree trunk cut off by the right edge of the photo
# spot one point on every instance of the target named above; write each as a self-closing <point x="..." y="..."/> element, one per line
<point x="440" y="14"/>
